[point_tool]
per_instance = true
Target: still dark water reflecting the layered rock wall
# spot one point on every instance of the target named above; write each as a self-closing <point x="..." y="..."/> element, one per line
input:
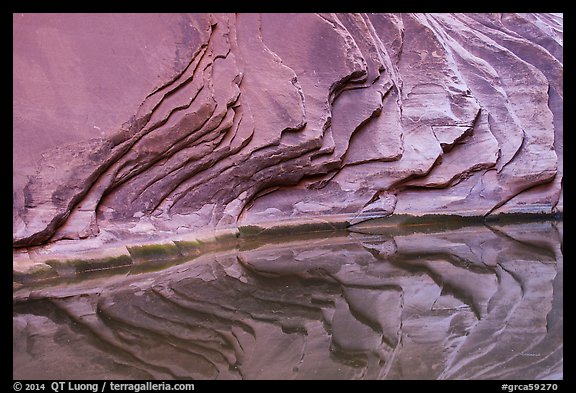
<point x="478" y="302"/>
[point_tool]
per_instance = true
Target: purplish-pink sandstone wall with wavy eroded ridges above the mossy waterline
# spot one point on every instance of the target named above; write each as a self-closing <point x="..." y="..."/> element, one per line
<point x="131" y="125"/>
